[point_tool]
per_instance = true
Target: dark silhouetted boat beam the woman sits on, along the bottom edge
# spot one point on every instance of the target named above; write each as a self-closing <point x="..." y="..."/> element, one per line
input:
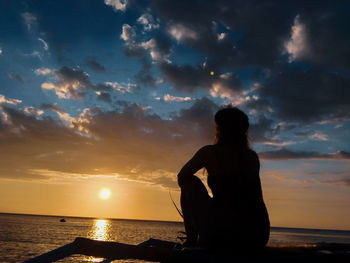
<point x="164" y="251"/>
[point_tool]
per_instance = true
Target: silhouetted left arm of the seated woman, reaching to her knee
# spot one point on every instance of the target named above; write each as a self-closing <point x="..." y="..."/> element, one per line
<point x="197" y="162"/>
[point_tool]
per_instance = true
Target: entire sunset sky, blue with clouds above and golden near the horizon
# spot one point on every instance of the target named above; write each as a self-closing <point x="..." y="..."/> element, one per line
<point x="120" y="94"/>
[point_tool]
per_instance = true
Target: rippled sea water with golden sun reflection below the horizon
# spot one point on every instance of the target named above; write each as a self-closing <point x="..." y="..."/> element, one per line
<point x="26" y="236"/>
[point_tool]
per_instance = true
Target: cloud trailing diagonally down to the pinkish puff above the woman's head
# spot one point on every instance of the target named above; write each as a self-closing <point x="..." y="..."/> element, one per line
<point x="183" y="78"/>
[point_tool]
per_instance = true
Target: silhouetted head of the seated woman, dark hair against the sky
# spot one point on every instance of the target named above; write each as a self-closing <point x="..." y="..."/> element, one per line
<point x="232" y="128"/>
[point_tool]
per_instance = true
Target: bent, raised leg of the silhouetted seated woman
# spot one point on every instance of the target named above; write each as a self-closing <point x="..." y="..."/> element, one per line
<point x="194" y="205"/>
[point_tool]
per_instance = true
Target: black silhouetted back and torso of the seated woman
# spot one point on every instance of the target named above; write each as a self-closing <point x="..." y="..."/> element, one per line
<point x="233" y="178"/>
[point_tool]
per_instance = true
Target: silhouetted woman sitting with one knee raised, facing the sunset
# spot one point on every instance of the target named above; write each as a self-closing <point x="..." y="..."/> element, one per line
<point x="236" y="214"/>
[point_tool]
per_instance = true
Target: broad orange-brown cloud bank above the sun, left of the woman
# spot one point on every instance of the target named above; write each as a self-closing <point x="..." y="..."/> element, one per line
<point x="119" y="142"/>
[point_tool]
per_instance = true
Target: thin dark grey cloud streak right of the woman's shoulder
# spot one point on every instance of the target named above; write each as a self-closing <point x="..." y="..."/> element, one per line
<point x="285" y="154"/>
